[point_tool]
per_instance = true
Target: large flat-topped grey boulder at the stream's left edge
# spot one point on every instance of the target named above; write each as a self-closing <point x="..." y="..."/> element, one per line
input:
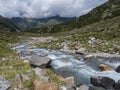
<point x="42" y="62"/>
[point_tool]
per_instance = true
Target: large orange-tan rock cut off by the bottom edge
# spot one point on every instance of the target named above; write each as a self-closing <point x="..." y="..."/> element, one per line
<point x="43" y="85"/>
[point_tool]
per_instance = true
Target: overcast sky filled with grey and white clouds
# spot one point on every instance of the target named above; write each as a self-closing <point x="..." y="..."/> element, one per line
<point x="46" y="8"/>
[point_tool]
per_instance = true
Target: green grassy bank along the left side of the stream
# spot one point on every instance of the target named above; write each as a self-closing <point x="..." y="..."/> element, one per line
<point x="10" y="65"/>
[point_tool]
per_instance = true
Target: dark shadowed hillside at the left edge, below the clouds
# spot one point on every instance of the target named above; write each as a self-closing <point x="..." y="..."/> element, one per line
<point x="7" y="25"/>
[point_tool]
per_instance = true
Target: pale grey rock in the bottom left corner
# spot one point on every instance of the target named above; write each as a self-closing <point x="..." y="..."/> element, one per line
<point x="4" y="84"/>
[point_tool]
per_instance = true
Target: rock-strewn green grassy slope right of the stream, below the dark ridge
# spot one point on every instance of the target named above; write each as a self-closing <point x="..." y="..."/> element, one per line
<point x="106" y="31"/>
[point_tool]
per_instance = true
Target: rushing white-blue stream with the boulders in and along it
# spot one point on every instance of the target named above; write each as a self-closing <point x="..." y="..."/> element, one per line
<point x="92" y="71"/>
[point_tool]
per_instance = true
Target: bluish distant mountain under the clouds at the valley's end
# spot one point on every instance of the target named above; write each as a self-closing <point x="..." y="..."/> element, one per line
<point x="28" y="23"/>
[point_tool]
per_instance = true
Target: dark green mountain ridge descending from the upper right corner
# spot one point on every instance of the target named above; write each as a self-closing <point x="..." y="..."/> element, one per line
<point x="108" y="10"/>
